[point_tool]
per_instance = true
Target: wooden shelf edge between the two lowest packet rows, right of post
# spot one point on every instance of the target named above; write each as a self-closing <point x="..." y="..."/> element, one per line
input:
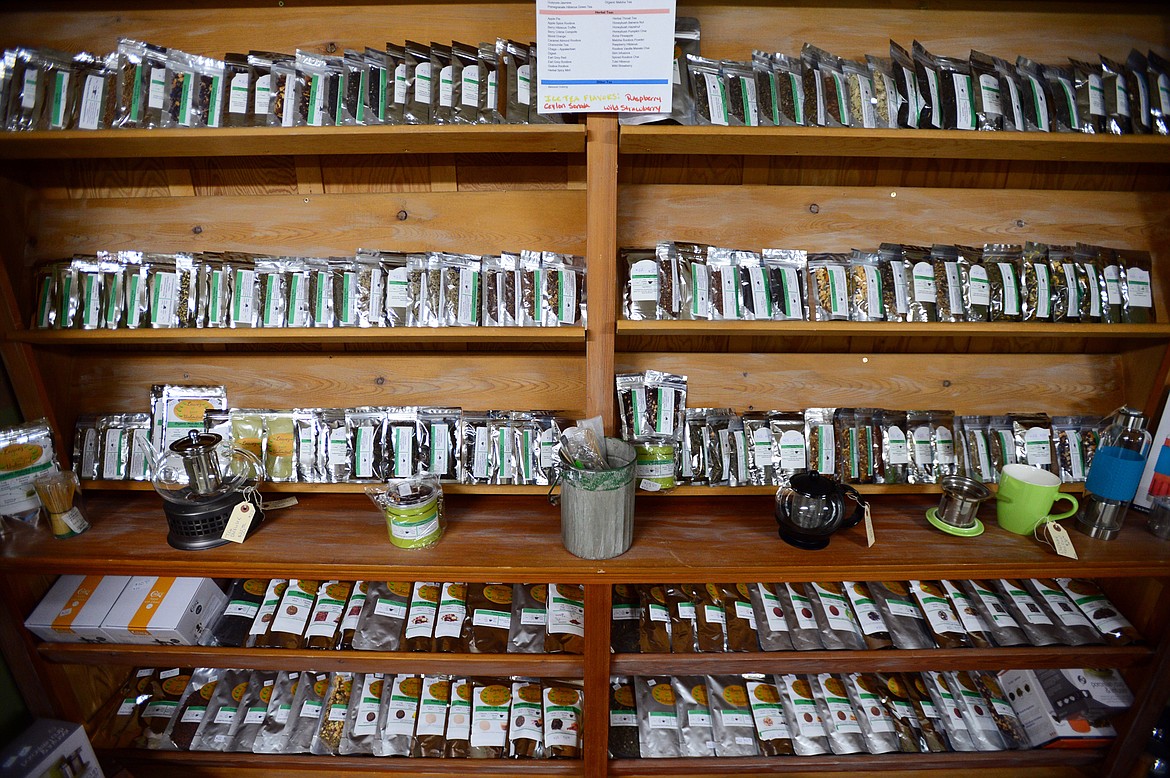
<point x="892" y="660"/>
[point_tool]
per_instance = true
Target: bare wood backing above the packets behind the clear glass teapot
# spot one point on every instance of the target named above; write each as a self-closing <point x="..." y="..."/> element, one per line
<point x="101" y="383"/>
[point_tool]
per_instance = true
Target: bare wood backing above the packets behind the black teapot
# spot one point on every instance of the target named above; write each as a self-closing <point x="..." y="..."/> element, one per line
<point x="1065" y="384"/>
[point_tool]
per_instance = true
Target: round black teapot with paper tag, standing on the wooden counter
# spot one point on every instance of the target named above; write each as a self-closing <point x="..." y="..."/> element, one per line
<point x="813" y="507"/>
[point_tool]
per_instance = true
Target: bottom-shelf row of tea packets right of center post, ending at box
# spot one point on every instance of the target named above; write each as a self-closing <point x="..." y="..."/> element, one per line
<point x="843" y="713"/>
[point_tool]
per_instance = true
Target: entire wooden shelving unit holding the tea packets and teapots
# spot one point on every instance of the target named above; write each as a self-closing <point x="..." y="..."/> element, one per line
<point x="586" y="189"/>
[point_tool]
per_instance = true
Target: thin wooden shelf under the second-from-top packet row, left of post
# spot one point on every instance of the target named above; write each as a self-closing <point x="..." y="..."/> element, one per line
<point x="349" y="336"/>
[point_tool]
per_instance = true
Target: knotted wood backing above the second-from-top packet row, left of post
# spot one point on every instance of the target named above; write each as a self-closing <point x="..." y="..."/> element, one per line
<point x="481" y="223"/>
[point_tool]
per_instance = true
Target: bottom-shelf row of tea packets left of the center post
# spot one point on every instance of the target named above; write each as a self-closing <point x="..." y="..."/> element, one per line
<point x="345" y="713"/>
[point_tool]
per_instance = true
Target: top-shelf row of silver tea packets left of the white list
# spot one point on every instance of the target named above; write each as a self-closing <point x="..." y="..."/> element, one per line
<point x="147" y="86"/>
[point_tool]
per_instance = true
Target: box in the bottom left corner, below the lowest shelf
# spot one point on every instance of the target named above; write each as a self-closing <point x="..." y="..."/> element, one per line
<point x="51" y="748"/>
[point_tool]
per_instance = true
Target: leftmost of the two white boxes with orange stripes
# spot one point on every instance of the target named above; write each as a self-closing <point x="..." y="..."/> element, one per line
<point x="73" y="610"/>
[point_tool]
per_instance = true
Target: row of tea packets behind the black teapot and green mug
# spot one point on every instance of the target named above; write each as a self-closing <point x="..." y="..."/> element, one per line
<point x="721" y="447"/>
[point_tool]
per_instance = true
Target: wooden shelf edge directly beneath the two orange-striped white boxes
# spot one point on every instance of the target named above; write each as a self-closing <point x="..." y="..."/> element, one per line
<point x="276" y="659"/>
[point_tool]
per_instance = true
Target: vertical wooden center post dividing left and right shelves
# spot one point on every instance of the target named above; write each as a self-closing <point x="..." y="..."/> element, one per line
<point x="602" y="259"/>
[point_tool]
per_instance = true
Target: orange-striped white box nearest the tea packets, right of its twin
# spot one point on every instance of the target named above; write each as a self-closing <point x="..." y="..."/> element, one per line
<point x="164" y="611"/>
